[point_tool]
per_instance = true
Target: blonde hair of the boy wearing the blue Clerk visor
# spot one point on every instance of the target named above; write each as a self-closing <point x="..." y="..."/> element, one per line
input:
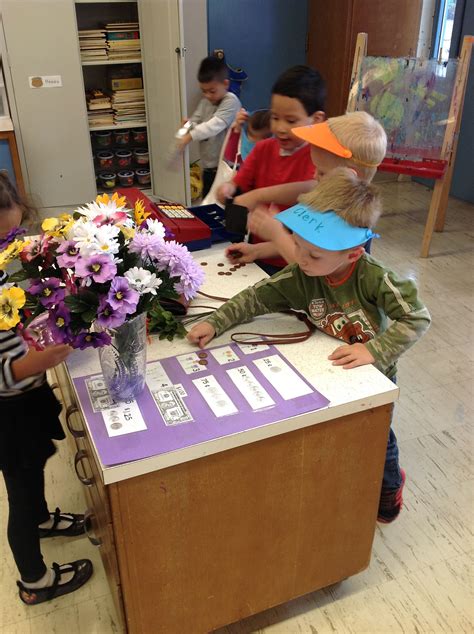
<point x="353" y="199"/>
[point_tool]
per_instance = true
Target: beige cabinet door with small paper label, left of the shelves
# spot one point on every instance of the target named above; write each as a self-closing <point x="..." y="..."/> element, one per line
<point x="41" y="40"/>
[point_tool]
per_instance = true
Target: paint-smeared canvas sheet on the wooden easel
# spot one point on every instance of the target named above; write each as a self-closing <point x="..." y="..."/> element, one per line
<point x="411" y="99"/>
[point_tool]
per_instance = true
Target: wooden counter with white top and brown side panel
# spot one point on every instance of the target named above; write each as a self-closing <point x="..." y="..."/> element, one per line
<point x="199" y="538"/>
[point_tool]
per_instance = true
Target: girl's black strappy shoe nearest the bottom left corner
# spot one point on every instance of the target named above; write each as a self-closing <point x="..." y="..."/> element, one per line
<point x="82" y="569"/>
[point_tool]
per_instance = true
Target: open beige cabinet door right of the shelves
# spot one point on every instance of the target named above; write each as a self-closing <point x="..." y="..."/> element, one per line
<point x="163" y="71"/>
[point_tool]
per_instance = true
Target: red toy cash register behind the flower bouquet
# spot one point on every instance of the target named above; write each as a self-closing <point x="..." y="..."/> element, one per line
<point x="181" y="223"/>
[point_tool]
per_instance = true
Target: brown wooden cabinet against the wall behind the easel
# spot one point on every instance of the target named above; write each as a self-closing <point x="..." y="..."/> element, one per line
<point x="392" y="26"/>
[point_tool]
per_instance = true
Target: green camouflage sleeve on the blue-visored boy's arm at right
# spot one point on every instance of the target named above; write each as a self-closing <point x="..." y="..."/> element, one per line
<point x="398" y="299"/>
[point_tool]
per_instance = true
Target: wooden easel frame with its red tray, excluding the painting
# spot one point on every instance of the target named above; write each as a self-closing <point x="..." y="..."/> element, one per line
<point x="442" y="169"/>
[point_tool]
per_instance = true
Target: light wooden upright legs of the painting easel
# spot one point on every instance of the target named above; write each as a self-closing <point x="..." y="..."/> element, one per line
<point x="439" y="199"/>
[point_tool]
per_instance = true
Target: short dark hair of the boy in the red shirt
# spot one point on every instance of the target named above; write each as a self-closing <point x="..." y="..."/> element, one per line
<point x="305" y="84"/>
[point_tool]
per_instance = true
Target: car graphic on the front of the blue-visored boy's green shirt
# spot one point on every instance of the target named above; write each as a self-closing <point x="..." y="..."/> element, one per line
<point x="351" y="327"/>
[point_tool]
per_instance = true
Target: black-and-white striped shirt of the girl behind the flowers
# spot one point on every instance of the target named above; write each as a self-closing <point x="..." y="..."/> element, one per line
<point x="13" y="347"/>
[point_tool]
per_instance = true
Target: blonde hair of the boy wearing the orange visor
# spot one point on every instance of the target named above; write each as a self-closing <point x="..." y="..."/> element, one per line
<point x="364" y="137"/>
